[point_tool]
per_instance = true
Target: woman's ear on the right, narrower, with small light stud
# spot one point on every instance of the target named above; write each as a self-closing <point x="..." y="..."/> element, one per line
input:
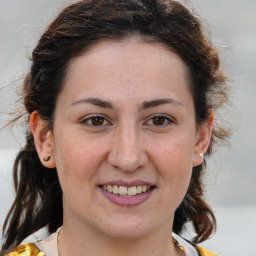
<point x="203" y="139"/>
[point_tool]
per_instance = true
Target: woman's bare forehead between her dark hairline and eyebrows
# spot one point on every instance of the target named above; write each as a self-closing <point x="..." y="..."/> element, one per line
<point x="130" y="67"/>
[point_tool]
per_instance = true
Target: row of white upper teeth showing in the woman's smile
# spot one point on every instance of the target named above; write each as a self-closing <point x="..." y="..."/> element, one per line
<point x="124" y="191"/>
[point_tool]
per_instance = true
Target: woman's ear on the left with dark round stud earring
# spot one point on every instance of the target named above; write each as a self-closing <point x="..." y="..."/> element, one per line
<point x="43" y="139"/>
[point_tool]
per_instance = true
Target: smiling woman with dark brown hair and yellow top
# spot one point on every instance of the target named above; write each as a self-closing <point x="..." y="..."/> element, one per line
<point x="120" y="101"/>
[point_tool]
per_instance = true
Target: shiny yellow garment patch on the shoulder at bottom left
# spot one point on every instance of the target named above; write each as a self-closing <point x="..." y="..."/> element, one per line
<point x="25" y="250"/>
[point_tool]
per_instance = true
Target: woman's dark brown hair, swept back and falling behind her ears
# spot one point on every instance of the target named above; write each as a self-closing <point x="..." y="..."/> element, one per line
<point x="38" y="201"/>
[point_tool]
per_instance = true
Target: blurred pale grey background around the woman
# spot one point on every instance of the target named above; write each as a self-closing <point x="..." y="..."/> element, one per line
<point x="231" y="176"/>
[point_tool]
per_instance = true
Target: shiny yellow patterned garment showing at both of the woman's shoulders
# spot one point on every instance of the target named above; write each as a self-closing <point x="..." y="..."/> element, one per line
<point x="32" y="250"/>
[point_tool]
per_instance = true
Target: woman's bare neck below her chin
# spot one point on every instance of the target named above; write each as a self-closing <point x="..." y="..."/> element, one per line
<point x="74" y="241"/>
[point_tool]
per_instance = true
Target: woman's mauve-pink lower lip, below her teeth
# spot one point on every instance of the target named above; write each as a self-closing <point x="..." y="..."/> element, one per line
<point x="127" y="200"/>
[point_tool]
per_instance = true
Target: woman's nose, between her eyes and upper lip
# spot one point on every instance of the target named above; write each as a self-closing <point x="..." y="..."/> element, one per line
<point x="127" y="152"/>
